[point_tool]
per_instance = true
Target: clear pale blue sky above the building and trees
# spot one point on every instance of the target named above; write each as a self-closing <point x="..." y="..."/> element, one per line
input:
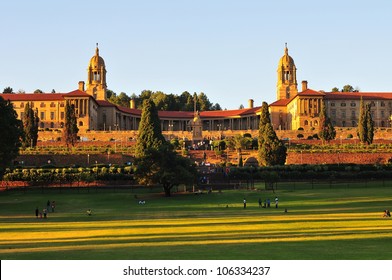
<point x="227" y="49"/>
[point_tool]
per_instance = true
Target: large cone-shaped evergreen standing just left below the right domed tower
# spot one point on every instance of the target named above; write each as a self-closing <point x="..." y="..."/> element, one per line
<point x="271" y="150"/>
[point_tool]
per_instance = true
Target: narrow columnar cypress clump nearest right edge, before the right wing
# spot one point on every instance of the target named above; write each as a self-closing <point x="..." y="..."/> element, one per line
<point x="365" y="123"/>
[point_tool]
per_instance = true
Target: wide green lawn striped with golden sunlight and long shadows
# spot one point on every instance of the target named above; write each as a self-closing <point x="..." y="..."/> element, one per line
<point x="320" y="224"/>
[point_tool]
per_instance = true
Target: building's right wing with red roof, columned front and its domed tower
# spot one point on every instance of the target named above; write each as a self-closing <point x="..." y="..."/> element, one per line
<point x="295" y="109"/>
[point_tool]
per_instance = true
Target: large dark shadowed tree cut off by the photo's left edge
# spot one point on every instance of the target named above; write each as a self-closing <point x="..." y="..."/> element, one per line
<point x="12" y="134"/>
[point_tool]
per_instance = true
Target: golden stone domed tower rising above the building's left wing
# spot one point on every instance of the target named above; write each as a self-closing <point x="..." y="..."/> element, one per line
<point x="96" y="77"/>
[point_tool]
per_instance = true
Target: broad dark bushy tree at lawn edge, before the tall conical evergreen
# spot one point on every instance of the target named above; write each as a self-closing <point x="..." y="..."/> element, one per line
<point x="165" y="167"/>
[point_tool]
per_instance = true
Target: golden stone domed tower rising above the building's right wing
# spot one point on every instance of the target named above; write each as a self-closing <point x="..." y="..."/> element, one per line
<point x="287" y="77"/>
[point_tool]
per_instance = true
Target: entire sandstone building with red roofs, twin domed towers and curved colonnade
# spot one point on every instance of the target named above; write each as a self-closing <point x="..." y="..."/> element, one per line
<point x="291" y="110"/>
